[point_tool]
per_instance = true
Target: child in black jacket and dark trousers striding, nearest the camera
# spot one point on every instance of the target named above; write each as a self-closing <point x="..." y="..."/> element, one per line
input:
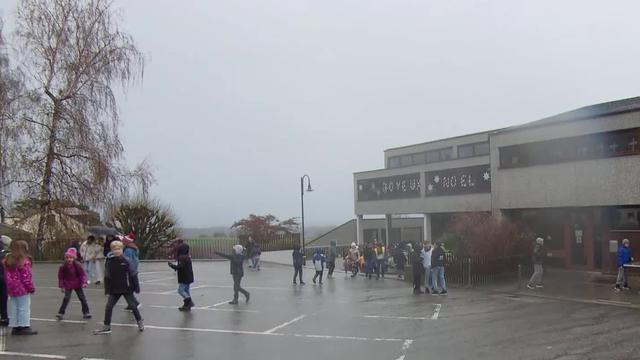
<point x="120" y="280"/>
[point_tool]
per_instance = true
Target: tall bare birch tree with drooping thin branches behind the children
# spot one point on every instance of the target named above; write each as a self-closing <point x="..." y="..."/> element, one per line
<point x="74" y="54"/>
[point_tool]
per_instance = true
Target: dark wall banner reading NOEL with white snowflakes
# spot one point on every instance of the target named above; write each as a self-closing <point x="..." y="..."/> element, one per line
<point x="468" y="180"/>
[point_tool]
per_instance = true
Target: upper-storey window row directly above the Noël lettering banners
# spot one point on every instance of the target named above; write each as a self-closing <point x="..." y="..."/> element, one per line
<point x="444" y="154"/>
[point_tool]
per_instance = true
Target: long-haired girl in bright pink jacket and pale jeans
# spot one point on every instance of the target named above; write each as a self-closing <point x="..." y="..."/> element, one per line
<point x="18" y="277"/>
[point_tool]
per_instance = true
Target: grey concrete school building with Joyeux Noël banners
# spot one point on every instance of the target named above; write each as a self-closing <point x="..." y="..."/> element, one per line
<point x="574" y="178"/>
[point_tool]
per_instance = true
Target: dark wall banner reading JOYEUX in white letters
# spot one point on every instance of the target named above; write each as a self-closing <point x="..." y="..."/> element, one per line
<point x="388" y="188"/>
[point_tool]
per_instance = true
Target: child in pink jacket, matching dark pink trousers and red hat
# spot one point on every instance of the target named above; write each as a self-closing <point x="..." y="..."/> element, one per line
<point x="71" y="276"/>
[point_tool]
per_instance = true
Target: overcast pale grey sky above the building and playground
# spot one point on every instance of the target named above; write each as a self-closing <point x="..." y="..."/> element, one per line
<point x="241" y="98"/>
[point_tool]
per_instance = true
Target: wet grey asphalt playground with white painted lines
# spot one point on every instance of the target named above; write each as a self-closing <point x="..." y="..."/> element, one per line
<point x="345" y="318"/>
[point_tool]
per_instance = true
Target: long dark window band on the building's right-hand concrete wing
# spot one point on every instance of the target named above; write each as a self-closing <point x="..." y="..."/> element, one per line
<point x="593" y="146"/>
